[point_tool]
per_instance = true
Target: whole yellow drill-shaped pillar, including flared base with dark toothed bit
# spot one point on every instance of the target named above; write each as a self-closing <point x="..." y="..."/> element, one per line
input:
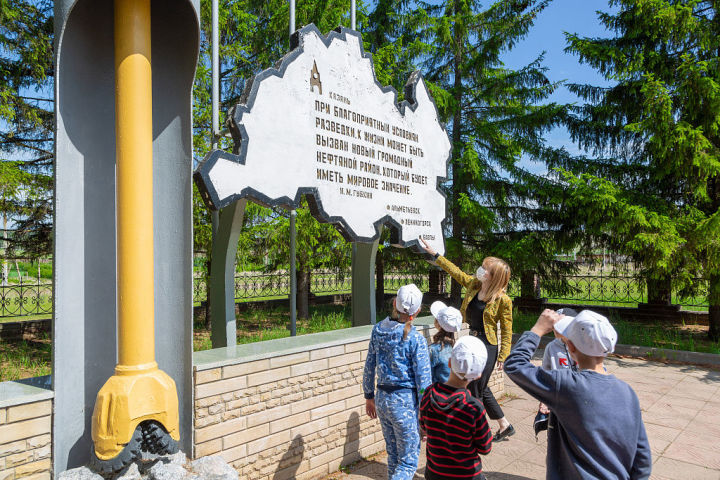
<point x="138" y="392"/>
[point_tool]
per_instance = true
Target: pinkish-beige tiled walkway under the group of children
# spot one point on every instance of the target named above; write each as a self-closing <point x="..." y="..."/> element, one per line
<point x="681" y="410"/>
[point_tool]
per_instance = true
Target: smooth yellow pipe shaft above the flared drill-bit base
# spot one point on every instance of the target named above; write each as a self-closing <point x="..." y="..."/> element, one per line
<point x="133" y="111"/>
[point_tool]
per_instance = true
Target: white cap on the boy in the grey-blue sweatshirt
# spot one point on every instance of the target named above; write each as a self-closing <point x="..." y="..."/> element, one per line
<point x="590" y="332"/>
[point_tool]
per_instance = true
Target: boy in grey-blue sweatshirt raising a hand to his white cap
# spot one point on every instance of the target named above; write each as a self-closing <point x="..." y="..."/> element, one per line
<point x="599" y="432"/>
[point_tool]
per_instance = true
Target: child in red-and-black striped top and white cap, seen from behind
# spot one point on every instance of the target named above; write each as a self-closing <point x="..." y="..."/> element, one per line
<point x="454" y="421"/>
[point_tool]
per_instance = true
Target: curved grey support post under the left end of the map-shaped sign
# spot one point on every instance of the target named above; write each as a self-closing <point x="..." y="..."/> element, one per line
<point x="222" y="275"/>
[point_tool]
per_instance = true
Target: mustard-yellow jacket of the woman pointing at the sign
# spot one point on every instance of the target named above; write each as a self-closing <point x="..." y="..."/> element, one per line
<point x="499" y="310"/>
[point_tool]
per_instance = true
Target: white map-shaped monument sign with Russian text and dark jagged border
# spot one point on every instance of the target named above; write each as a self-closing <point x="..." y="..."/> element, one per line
<point x="320" y="124"/>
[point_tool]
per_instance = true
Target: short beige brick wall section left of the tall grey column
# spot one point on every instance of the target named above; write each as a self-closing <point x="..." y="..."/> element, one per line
<point x="25" y="437"/>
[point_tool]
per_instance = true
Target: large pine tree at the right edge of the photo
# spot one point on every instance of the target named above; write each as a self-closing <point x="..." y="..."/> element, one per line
<point x="654" y="186"/>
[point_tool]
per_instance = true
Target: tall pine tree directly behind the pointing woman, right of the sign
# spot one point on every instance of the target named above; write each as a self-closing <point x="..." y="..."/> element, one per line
<point x="496" y="117"/>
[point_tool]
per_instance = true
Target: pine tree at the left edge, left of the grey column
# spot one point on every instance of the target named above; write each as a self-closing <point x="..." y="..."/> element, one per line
<point x="26" y="124"/>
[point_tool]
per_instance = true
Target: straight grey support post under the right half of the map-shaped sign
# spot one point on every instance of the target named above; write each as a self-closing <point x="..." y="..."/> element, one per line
<point x="363" y="283"/>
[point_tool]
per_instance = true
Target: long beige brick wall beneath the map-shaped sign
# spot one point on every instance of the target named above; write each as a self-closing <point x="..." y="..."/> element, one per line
<point x="299" y="415"/>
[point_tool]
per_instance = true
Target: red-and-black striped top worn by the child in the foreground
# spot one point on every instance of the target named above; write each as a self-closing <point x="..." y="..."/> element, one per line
<point x="457" y="431"/>
